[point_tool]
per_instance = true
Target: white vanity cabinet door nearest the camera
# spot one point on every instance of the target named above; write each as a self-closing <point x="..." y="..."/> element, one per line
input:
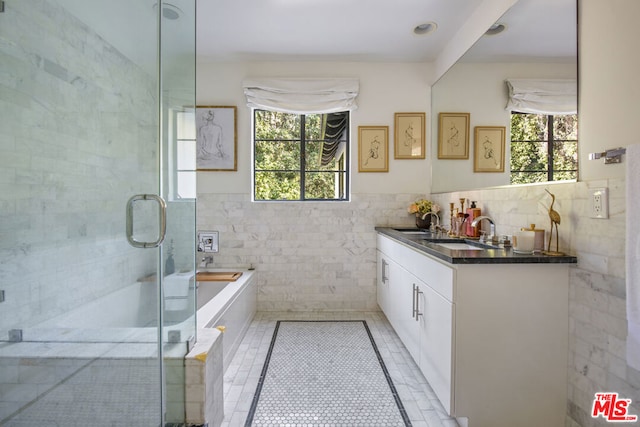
<point x="436" y="324"/>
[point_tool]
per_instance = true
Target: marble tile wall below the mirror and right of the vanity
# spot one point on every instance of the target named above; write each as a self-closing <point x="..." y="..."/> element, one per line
<point x="597" y="305"/>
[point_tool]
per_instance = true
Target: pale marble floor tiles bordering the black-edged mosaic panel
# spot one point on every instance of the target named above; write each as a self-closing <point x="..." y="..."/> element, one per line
<point x="241" y="378"/>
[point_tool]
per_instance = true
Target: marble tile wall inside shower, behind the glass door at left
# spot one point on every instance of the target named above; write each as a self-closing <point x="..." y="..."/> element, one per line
<point x="78" y="138"/>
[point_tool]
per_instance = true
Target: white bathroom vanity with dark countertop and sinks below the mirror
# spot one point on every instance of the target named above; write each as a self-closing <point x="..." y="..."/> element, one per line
<point x="487" y="327"/>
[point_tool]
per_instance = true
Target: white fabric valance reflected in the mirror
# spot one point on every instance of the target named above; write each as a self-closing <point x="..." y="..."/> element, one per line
<point x="543" y="96"/>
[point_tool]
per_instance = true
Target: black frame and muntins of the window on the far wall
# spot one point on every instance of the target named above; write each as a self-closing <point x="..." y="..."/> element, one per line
<point x="344" y="162"/>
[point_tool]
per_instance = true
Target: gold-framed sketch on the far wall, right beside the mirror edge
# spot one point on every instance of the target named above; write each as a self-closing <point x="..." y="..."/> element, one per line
<point x="409" y="136"/>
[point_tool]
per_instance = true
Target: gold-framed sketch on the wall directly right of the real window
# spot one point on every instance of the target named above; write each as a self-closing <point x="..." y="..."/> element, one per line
<point x="373" y="148"/>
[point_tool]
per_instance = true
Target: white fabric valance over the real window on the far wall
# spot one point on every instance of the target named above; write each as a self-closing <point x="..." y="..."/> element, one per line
<point x="302" y="95"/>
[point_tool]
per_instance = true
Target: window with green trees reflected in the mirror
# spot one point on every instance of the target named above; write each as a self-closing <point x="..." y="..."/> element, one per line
<point x="543" y="147"/>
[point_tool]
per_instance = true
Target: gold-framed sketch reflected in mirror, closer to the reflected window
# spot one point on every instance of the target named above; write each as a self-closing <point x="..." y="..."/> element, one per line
<point x="489" y="148"/>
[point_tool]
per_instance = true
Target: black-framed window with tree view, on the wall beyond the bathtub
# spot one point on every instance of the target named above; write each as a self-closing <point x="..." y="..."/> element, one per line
<point x="302" y="157"/>
